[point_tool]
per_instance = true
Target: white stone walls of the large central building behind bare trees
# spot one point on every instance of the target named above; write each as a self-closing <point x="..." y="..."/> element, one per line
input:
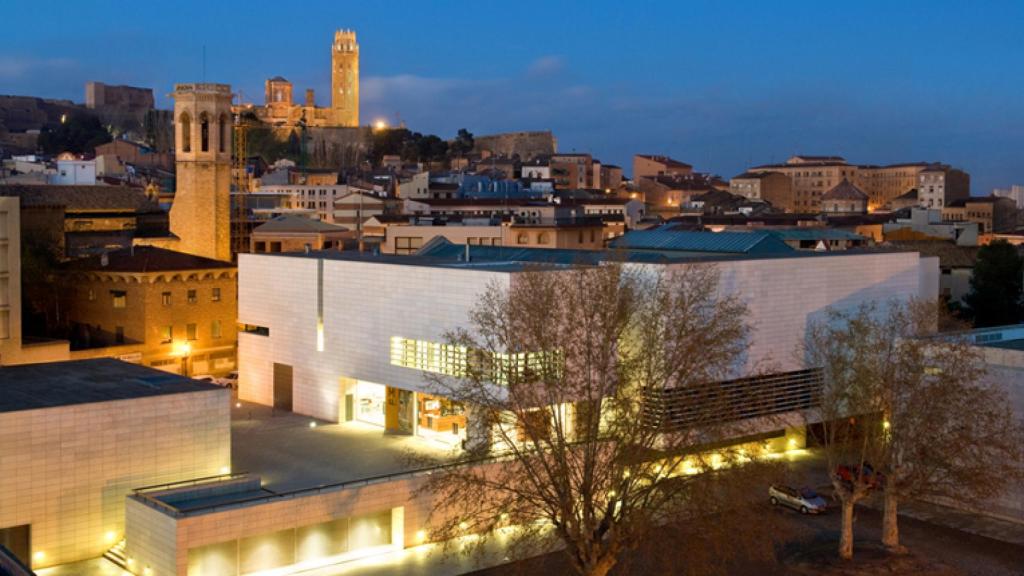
<point x="365" y="304"/>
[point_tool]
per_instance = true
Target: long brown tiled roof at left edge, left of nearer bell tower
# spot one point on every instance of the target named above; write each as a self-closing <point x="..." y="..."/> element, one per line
<point x="80" y="198"/>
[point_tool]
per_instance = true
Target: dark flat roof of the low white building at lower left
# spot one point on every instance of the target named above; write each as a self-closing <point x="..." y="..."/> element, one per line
<point x="32" y="387"/>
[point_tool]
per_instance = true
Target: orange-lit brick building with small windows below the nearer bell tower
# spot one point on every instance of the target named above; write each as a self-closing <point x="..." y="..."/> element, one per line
<point x="163" y="309"/>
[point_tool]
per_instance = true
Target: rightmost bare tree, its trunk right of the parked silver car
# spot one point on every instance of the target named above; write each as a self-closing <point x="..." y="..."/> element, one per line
<point x="950" y="434"/>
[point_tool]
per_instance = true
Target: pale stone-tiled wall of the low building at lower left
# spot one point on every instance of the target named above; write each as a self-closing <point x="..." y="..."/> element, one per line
<point x="66" y="471"/>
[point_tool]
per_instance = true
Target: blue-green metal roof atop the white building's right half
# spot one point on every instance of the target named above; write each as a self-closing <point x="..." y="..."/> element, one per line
<point x="666" y="238"/>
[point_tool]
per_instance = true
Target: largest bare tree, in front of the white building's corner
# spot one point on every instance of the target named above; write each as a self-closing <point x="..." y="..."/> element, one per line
<point x="568" y="382"/>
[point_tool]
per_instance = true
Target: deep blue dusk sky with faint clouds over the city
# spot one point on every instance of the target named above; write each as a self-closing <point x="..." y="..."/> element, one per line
<point x="722" y="86"/>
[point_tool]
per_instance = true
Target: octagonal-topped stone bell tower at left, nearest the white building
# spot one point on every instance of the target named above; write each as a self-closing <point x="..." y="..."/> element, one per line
<point x="201" y="215"/>
